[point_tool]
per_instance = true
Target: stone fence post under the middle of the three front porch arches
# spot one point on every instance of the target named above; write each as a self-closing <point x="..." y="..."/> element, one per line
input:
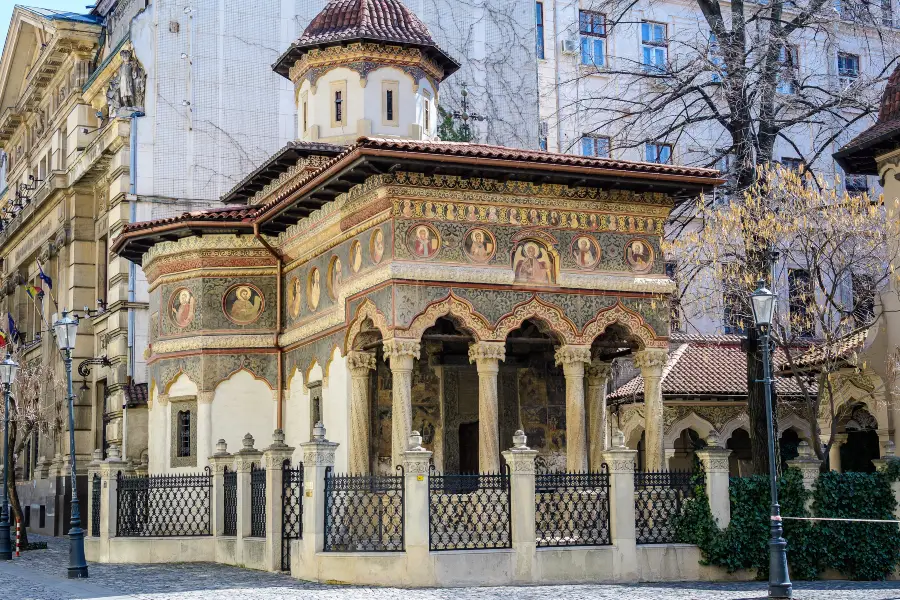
<point x="520" y="460"/>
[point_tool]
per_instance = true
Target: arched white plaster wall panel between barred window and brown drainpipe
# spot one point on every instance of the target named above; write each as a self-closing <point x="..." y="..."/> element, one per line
<point x="242" y="404"/>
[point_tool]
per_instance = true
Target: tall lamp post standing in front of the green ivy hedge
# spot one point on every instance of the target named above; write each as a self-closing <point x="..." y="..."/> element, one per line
<point x="762" y="301"/>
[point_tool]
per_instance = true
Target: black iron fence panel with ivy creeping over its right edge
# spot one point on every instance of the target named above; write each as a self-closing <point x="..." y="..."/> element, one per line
<point x="658" y="497"/>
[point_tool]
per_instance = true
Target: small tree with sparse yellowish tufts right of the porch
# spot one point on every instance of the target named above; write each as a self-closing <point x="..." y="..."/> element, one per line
<point x="833" y="253"/>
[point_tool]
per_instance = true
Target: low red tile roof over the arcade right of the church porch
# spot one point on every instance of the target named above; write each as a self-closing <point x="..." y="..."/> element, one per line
<point x="707" y="368"/>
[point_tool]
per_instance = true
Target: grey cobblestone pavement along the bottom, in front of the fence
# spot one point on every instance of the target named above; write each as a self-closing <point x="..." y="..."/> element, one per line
<point x="41" y="575"/>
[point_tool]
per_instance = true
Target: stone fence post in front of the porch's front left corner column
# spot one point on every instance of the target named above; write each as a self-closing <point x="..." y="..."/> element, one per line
<point x="415" y="497"/>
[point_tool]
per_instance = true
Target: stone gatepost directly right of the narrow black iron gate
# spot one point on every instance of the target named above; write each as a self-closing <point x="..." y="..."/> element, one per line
<point x="318" y="455"/>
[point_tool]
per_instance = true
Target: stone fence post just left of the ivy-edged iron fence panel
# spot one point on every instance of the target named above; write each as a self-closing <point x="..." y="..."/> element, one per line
<point x="620" y="461"/>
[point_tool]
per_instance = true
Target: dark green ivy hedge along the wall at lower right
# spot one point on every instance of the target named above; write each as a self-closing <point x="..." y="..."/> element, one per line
<point x="859" y="551"/>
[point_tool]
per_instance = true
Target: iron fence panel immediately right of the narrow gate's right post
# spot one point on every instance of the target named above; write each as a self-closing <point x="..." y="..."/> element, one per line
<point x="364" y="513"/>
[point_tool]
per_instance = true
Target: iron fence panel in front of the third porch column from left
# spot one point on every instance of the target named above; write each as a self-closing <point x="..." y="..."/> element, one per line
<point x="469" y="511"/>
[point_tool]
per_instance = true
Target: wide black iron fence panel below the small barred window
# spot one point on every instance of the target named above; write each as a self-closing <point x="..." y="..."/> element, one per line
<point x="163" y="505"/>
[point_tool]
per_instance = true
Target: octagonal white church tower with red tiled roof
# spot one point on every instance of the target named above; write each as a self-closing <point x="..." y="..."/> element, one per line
<point x="365" y="68"/>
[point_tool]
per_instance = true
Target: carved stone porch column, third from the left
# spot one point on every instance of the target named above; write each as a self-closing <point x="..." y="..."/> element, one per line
<point x="487" y="357"/>
